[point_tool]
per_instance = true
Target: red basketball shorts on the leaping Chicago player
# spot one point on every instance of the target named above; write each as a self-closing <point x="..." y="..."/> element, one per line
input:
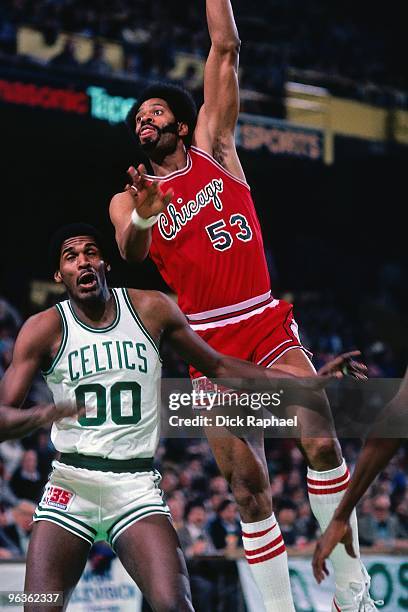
<point x="261" y="339"/>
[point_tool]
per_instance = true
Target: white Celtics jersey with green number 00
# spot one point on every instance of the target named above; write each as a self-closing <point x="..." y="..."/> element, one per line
<point x="115" y="372"/>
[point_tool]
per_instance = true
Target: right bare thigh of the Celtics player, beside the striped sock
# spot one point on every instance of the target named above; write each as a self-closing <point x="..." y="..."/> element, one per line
<point x="150" y="552"/>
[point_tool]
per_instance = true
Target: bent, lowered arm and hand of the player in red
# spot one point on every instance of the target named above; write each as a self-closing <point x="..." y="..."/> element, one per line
<point x="147" y="199"/>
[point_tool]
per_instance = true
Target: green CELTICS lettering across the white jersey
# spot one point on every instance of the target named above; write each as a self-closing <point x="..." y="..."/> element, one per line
<point x="108" y="355"/>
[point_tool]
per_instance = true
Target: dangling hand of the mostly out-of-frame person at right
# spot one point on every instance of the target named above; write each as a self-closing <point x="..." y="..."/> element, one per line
<point x="337" y="532"/>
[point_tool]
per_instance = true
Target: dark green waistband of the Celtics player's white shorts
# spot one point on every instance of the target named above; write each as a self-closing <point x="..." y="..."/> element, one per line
<point x="102" y="464"/>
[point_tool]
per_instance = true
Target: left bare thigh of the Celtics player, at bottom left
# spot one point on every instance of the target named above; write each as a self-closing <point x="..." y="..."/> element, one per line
<point x="55" y="561"/>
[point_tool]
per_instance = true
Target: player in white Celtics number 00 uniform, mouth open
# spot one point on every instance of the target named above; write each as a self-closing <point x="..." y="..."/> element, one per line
<point x="100" y="348"/>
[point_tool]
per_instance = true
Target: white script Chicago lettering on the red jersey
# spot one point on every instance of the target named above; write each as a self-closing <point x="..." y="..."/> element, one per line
<point x="172" y="221"/>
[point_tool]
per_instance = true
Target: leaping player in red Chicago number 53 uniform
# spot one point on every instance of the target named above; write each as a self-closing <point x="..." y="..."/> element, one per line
<point x="194" y="215"/>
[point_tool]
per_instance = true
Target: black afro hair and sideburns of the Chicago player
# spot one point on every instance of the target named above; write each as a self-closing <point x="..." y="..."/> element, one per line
<point x="180" y="101"/>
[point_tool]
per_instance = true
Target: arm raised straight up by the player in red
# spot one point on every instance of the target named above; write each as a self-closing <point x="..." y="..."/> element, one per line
<point x="218" y="116"/>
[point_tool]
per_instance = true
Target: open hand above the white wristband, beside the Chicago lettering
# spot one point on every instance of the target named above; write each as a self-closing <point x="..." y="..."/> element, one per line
<point x="148" y="198"/>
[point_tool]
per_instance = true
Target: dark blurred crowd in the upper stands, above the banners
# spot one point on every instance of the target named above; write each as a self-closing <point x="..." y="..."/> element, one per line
<point x="350" y="49"/>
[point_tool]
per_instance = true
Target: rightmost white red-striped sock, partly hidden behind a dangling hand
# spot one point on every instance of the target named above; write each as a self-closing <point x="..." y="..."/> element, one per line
<point x="326" y="490"/>
